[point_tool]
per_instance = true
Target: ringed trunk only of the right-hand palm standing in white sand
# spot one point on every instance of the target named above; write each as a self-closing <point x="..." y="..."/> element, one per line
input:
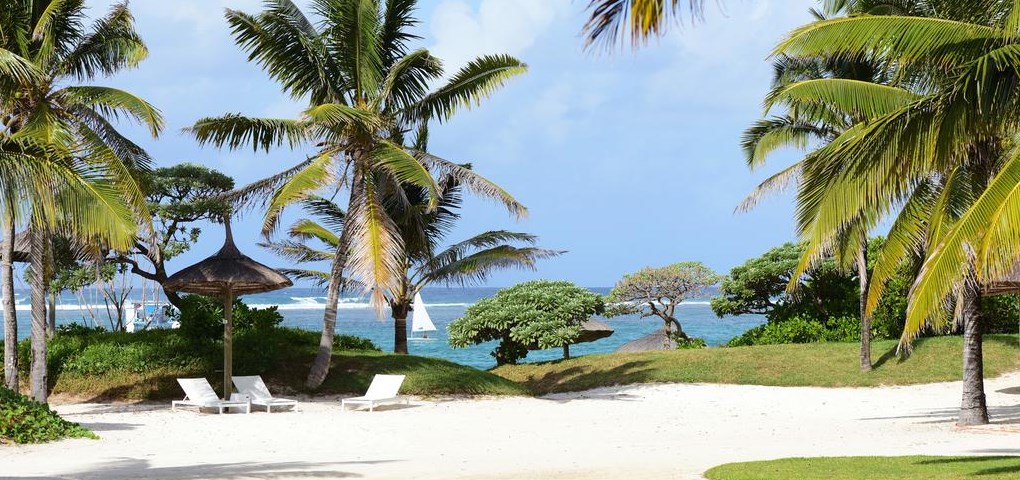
<point x="974" y="410"/>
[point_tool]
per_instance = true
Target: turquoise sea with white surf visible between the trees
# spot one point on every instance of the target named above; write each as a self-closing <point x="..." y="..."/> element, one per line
<point x="302" y="308"/>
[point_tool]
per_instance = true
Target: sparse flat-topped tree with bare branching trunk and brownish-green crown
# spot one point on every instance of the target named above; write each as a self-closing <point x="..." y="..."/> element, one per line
<point x="657" y="292"/>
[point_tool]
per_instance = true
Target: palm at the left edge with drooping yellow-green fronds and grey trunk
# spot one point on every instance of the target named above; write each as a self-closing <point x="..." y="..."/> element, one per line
<point x="66" y="167"/>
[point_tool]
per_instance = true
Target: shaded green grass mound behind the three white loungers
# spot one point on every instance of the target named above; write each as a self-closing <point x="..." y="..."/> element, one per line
<point x="145" y="366"/>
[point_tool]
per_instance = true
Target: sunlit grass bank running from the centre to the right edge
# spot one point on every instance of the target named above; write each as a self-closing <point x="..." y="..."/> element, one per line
<point x="832" y="365"/>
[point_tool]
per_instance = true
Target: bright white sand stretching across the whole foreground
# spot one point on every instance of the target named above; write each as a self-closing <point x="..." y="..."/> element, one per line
<point x="650" y="432"/>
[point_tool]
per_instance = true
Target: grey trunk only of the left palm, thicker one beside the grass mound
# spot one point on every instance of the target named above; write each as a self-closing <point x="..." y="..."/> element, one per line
<point x="38" y="372"/>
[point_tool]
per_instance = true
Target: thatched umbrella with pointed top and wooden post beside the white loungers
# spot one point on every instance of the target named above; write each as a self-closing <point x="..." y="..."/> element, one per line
<point x="228" y="275"/>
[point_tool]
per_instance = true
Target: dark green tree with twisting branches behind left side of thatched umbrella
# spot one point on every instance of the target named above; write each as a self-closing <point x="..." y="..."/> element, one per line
<point x="178" y="196"/>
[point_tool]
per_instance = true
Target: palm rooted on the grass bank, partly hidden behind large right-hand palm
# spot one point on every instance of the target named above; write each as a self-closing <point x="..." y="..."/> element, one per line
<point x="807" y="88"/>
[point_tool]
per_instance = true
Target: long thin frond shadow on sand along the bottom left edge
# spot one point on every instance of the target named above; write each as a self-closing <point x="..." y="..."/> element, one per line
<point x="134" y="468"/>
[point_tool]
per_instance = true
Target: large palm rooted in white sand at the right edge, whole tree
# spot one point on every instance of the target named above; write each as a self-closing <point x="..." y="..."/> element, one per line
<point x="961" y="55"/>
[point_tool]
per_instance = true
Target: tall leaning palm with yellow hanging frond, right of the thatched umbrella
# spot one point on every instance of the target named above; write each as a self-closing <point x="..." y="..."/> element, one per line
<point x="367" y="89"/>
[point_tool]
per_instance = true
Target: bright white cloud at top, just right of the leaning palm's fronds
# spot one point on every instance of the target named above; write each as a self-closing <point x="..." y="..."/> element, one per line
<point x="463" y="33"/>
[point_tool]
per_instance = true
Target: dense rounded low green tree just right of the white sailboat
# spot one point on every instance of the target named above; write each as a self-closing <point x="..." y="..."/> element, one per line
<point x="539" y="314"/>
